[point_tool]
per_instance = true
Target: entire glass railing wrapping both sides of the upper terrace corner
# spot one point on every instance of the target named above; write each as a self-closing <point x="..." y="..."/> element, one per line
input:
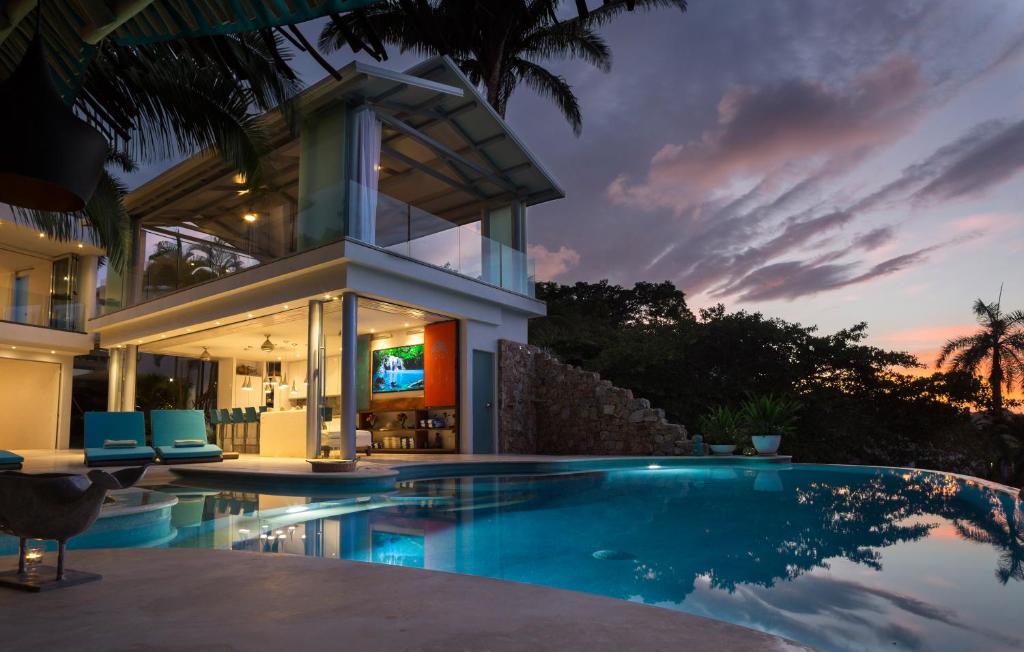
<point x="179" y="257"/>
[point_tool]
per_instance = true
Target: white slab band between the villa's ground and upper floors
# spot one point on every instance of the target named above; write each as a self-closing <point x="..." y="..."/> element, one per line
<point x="344" y="267"/>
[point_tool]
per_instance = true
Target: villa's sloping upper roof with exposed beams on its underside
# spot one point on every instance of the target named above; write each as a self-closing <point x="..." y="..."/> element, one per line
<point x="444" y="150"/>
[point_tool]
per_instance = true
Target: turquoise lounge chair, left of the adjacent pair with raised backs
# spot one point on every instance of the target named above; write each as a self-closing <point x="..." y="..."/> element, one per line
<point x="116" y="440"/>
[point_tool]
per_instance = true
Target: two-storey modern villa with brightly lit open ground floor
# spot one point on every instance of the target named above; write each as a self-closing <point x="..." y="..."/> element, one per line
<point x="363" y="287"/>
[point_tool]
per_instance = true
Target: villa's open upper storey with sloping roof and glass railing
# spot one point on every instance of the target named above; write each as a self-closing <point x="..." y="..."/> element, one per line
<point x="416" y="165"/>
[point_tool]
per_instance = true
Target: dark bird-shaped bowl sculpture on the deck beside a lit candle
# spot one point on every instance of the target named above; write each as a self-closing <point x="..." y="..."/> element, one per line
<point x="54" y="506"/>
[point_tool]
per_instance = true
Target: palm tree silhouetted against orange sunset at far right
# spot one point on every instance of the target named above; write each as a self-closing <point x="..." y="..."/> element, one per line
<point x="1000" y="343"/>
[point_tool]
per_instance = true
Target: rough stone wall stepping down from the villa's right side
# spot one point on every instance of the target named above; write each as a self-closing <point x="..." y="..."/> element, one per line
<point x="545" y="407"/>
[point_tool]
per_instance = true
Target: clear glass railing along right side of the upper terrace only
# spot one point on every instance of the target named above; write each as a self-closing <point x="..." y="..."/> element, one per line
<point x="405" y="230"/>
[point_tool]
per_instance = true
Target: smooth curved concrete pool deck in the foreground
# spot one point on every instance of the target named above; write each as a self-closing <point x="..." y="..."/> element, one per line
<point x="220" y="600"/>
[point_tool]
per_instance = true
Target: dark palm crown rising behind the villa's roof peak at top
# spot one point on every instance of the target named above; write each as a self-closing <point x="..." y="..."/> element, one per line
<point x="498" y="45"/>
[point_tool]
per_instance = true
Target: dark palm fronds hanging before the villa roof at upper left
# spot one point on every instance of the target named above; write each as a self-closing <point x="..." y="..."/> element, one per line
<point x="168" y="100"/>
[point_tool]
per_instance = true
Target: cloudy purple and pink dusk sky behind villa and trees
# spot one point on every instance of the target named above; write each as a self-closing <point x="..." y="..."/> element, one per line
<point x="824" y="162"/>
